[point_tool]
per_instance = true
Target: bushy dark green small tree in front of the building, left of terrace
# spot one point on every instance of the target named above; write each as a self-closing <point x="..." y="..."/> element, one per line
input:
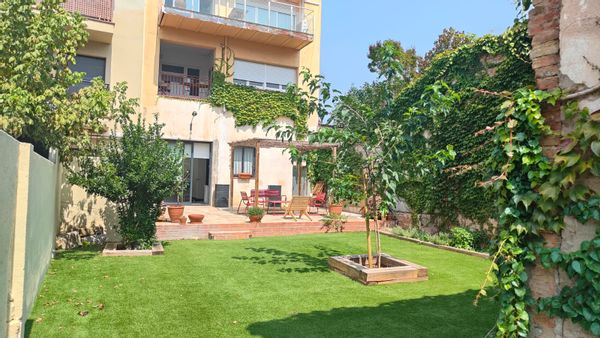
<point x="136" y="171"/>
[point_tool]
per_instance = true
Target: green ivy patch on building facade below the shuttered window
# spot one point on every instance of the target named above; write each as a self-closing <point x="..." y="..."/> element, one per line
<point x="251" y="106"/>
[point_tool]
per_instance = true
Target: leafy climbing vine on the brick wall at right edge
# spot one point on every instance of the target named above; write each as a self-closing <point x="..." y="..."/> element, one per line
<point x="534" y="195"/>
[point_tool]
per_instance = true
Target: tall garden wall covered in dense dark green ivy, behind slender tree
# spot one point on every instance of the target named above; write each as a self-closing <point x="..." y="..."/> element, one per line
<point x="492" y="63"/>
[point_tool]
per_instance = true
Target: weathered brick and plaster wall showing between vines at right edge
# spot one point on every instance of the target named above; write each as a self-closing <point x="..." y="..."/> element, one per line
<point x="566" y="55"/>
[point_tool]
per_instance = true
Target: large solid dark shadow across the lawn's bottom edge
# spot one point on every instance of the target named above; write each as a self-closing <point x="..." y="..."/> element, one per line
<point x="438" y="316"/>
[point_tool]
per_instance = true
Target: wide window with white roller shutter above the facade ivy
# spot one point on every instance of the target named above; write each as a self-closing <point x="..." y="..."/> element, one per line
<point x="263" y="76"/>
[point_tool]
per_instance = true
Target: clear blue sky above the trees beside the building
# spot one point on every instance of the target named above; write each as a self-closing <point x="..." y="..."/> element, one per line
<point x="350" y="26"/>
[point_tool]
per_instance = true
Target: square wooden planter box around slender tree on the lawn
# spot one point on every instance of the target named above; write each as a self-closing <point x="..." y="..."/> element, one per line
<point x="392" y="270"/>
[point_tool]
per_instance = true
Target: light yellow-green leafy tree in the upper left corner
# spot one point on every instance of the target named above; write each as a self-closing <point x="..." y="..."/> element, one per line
<point x="38" y="42"/>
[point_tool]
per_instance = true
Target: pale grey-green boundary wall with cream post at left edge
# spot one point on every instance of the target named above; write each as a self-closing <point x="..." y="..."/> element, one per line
<point x="29" y="203"/>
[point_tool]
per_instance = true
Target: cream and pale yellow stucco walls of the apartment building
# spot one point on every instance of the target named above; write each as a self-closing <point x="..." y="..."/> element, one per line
<point x="131" y="45"/>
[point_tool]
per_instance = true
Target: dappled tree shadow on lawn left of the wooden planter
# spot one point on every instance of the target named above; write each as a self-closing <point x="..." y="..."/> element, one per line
<point x="311" y="262"/>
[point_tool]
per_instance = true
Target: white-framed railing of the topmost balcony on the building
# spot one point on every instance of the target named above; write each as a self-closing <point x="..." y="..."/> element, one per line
<point x="267" y="13"/>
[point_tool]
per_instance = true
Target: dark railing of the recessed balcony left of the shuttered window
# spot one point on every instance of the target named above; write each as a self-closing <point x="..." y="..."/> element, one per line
<point x="181" y="85"/>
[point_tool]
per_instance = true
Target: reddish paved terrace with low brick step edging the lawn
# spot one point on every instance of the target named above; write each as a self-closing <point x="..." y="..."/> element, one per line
<point x="230" y="225"/>
